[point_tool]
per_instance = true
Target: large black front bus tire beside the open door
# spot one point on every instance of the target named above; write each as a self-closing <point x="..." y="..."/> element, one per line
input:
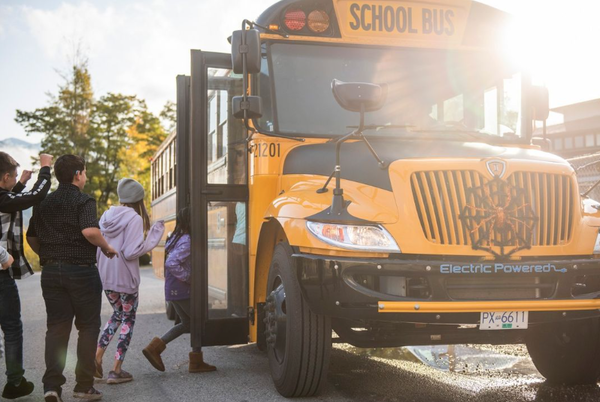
<point x="298" y="341"/>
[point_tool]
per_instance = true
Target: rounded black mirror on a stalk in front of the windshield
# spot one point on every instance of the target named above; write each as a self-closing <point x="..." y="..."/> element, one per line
<point x="359" y="96"/>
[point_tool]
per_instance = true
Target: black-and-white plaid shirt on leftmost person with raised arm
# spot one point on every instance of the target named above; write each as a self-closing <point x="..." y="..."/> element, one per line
<point x="11" y="218"/>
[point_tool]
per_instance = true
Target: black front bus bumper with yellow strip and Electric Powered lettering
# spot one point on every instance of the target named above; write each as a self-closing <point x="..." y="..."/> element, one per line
<point x="447" y="292"/>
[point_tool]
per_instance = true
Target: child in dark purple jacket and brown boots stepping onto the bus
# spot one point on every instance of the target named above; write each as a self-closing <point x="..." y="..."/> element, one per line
<point x="178" y="275"/>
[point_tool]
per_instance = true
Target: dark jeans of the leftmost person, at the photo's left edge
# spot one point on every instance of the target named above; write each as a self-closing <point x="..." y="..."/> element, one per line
<point x="10" y="322"/>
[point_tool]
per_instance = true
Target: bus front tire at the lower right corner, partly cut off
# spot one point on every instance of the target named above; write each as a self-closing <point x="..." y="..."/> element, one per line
<point x="567" y="353"/>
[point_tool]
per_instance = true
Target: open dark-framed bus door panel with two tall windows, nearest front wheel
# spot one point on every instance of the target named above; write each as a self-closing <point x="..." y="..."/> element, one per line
<point x="219" y="199"/>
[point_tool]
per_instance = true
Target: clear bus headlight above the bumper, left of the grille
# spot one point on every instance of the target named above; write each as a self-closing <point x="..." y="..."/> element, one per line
<point x="354" y="237"/>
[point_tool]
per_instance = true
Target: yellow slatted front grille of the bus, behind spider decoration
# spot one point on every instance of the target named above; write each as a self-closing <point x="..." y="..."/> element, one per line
<point x="441" y="196"/>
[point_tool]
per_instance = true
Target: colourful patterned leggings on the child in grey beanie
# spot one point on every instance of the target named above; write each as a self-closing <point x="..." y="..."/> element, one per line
<point x="125" y="307"/>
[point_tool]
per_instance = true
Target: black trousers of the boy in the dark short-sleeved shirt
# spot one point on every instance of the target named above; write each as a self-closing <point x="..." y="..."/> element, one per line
<point x="71" y="291"/>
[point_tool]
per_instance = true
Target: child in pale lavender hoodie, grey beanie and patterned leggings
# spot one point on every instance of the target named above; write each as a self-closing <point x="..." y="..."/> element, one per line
<point x="124" y="227"/>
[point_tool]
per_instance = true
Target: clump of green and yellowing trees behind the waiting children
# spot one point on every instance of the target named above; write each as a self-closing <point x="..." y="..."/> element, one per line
<point x="116" y="134"/>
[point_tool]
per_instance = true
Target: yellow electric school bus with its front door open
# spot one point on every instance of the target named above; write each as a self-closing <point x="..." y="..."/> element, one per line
<point x="367" y="167"/>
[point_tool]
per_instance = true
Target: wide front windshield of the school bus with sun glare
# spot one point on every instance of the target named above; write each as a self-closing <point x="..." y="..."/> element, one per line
<point x="447" y="92"/>
